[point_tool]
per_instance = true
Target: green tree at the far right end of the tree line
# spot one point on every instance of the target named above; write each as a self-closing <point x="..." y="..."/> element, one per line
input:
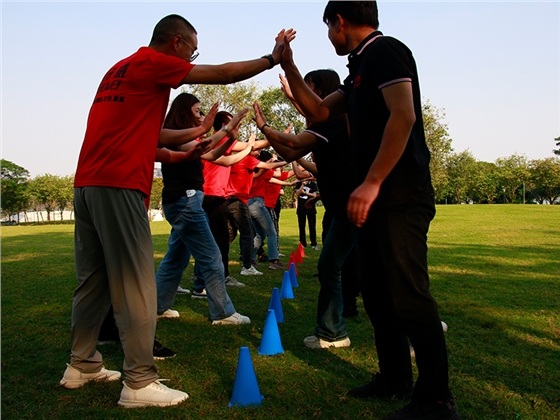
<point x="545" y="179"/>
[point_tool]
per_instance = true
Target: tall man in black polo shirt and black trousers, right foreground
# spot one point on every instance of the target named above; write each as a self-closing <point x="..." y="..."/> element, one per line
<point x="391" y="208"/>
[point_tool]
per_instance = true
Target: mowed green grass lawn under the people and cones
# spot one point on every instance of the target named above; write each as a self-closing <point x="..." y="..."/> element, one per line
<point x="495" y="272"/>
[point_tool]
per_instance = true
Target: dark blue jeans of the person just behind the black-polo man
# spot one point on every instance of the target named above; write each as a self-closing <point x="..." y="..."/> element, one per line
<point x="336" y="247"/>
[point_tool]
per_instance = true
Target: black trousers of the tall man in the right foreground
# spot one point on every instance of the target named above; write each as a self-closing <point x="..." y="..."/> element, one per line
<point x="392" y="246"/>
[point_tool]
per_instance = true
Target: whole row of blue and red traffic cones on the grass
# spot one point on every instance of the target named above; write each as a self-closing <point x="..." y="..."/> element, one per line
<point x="245" y="387"/>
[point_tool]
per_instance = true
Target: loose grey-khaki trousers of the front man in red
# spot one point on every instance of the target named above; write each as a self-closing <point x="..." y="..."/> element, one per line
<point x="114" y="264"/>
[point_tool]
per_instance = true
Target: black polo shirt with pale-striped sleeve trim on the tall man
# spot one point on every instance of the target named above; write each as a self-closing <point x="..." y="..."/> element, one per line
<point x="378" y="62"/>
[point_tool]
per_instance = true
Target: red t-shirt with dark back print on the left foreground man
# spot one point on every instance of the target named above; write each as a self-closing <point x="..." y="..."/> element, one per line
<point x="125" y="119"/>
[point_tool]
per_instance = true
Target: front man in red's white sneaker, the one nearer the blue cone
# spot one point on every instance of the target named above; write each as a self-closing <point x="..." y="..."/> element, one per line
<point x="154" y="394"/>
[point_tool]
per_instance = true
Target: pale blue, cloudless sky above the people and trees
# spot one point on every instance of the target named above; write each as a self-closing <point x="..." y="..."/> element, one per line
<point x="492" y="67"/>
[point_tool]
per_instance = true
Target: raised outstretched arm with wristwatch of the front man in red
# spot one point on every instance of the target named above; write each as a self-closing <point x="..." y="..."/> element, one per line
<point x="240" y="70"/>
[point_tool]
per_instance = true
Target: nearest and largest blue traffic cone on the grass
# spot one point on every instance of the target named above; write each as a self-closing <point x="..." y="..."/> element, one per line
<point x="245" y="388"/>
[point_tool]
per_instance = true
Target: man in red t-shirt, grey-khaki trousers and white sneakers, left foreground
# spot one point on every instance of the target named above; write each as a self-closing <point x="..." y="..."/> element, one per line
<point x="113" y="246"/>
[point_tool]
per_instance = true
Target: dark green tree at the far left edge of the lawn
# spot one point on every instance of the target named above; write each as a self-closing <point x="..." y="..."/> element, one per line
<point x="14" y="180"/>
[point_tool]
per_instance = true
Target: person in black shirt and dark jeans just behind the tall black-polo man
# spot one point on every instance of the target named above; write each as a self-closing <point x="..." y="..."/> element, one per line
<point x="328" y="141"/>
